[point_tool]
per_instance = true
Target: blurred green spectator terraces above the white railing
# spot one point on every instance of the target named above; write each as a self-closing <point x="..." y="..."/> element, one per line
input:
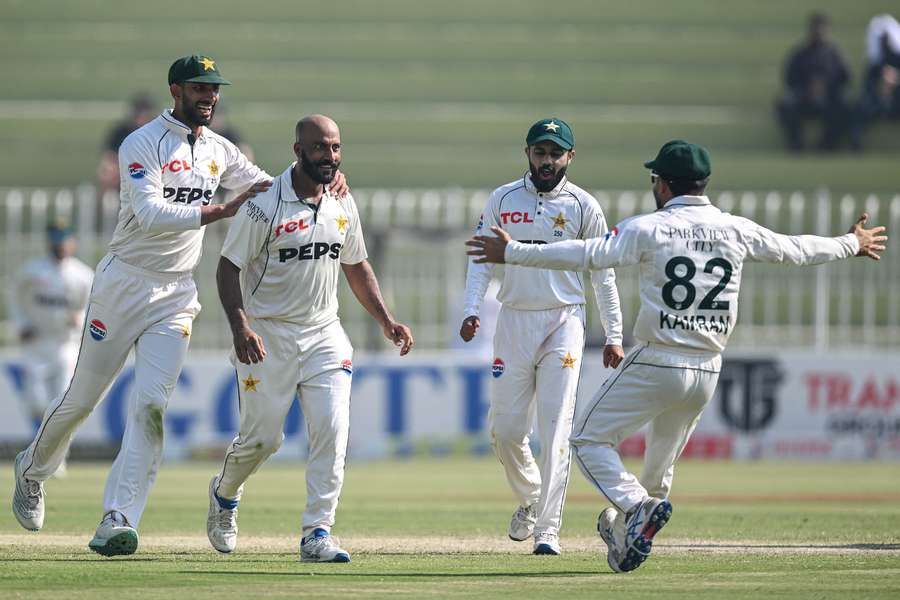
<point x="432" y="93"/>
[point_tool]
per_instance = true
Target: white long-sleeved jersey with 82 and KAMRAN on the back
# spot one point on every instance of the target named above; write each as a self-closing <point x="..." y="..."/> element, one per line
<point x="691" y="257"/>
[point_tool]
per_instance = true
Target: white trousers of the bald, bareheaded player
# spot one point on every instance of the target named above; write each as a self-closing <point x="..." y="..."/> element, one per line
<point x="315" y="364"/>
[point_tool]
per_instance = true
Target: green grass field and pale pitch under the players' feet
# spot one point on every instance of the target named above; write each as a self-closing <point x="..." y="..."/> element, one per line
<point x="437" y="528"/>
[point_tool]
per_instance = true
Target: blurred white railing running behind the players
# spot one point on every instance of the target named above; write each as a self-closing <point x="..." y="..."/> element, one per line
<point x="415" y="240"/>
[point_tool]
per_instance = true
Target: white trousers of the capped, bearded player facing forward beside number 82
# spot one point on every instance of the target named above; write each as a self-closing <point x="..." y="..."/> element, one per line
<point x="540" y="355"/>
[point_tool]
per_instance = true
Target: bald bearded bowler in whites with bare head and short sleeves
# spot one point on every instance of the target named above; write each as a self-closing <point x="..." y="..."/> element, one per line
<point x="278" y="279"/>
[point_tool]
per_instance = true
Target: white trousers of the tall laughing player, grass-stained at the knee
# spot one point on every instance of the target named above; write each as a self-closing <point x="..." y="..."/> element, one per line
<point x="128" y="308"/>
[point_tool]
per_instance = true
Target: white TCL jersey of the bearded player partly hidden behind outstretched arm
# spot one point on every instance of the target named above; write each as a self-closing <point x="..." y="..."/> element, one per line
<point x="566" y="212"/>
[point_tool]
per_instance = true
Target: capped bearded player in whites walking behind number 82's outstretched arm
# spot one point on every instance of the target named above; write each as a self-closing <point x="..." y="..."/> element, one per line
<point x="540" y="332"/>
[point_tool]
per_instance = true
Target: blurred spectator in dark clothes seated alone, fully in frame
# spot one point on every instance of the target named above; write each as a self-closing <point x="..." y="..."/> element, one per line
<point x="815" y="76"/>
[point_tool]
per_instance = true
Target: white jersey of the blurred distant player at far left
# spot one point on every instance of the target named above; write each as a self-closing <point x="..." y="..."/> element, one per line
<point x="50" y="297"/>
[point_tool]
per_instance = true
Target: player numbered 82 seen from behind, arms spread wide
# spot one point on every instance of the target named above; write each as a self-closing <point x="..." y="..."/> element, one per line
<point x="691" y="256"/>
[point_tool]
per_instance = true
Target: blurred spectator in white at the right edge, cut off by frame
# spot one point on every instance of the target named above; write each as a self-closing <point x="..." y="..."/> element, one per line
<point x="880" y="97"/>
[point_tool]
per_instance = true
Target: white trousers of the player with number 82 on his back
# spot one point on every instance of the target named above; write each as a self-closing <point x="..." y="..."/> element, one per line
<point x="663" y="387"/>
